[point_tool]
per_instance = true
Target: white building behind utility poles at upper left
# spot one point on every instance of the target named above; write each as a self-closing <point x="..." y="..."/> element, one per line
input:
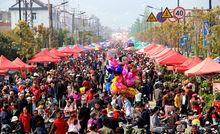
<point x="39" y="11"/>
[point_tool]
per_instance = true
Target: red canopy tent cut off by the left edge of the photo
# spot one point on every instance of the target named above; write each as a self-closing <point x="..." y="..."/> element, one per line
<point x="7" y="64"/>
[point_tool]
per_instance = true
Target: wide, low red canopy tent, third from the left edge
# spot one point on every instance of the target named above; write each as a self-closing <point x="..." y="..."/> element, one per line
<point x="44" y="58"/>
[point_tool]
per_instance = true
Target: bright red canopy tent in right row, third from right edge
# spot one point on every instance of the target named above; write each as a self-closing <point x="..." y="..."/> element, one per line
<point x="173" y="59"/>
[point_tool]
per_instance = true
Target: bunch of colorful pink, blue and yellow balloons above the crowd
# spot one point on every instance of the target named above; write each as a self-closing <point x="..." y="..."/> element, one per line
<point x="126" y="78"/>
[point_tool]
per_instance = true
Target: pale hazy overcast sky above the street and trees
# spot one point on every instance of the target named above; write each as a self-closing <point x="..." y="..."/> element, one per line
<point x="121" y="13"/>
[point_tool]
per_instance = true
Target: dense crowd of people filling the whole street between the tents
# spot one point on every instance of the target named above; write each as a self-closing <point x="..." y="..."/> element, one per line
<point x="71" y="97"/>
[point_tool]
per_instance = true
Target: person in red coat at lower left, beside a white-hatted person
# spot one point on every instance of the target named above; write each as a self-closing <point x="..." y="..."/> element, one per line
<point x="25" y="119"/>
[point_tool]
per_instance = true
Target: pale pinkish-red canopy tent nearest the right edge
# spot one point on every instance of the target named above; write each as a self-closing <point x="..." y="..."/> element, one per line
<point x="207" y="66"/>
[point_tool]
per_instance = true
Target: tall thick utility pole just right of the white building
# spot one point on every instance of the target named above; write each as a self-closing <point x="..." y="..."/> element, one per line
<point x="50" y="24"/>
